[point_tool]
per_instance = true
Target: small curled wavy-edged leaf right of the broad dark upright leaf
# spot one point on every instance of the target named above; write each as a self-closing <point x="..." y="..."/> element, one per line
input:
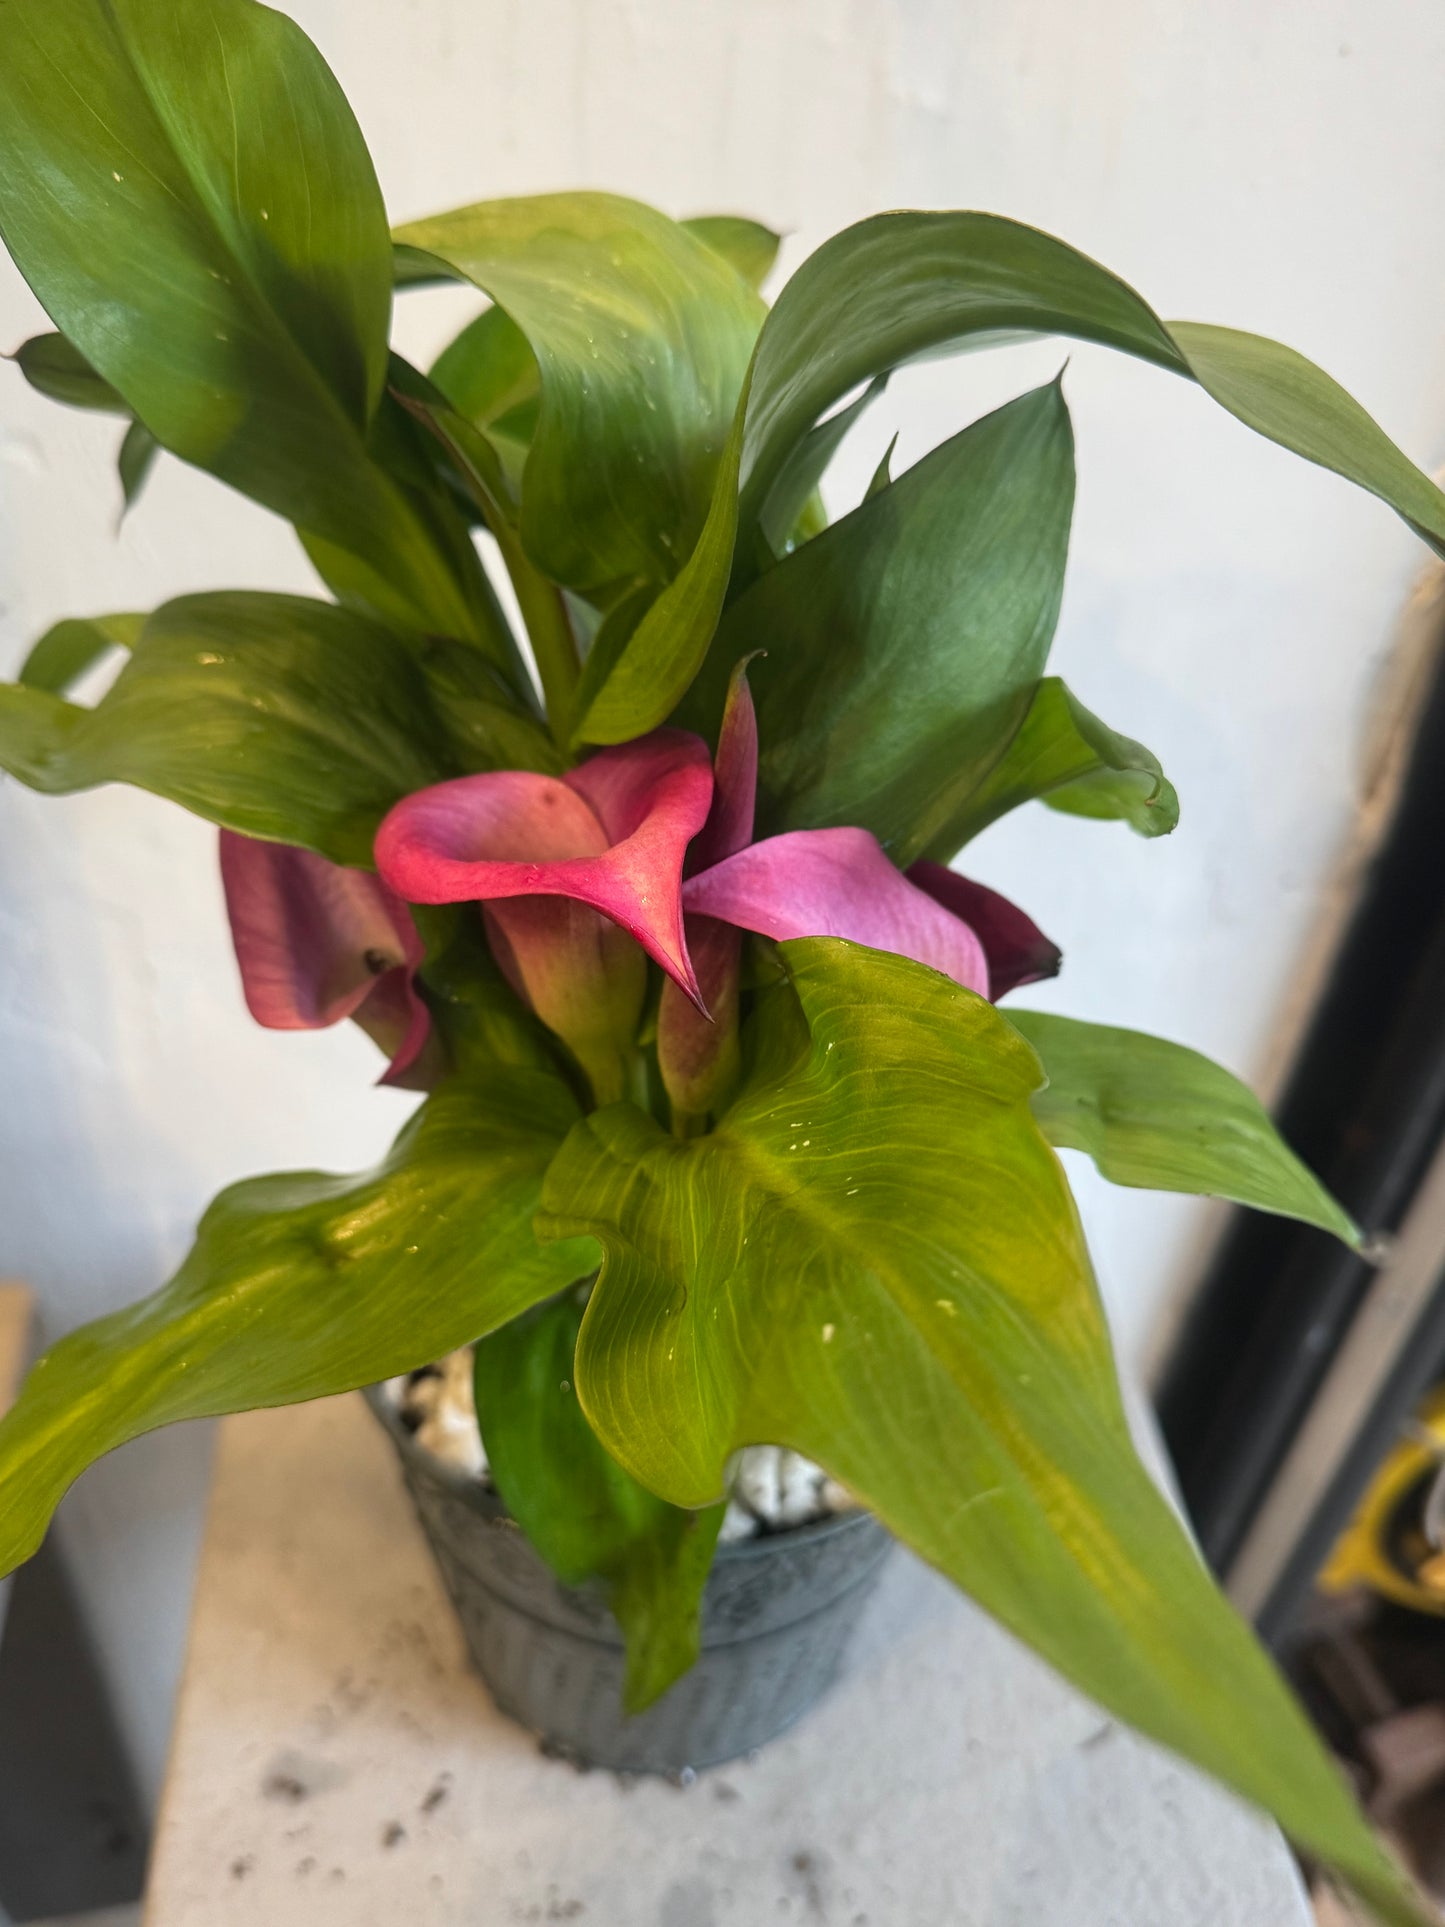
<point x="1066" y="758"/>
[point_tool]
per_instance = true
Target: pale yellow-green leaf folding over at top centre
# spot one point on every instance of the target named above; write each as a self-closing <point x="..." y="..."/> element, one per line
<point x="643" y="338"/>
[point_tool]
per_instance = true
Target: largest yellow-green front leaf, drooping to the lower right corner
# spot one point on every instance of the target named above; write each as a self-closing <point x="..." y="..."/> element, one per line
<point x="876" y="1261"/>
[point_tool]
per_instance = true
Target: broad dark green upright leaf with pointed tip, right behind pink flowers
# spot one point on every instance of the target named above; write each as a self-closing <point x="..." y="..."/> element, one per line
<point x="905" y="645"/>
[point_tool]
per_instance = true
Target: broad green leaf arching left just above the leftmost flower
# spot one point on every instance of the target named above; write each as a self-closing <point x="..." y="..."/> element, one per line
<point x="269" y="714"/>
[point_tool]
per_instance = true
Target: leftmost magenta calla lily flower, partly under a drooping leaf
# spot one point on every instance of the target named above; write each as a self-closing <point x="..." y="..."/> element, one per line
<point x="319" y="943"/>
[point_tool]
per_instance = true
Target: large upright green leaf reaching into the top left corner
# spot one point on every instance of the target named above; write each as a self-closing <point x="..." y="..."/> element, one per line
<point x="188" y="194"/>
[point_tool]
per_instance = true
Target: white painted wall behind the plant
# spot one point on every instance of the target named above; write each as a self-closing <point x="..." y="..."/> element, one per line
<point x="1278" y="169"/>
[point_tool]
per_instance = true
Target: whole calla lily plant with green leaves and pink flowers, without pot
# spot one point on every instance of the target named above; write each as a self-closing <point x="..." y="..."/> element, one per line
<point x="654" y="901"/>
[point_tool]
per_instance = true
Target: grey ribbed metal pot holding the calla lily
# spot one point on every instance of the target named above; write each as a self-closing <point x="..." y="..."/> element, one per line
<point x="775" y="1620"/>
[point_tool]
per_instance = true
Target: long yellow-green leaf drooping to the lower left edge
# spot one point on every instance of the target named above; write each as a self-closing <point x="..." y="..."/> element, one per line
<point x="302" y="1286"/>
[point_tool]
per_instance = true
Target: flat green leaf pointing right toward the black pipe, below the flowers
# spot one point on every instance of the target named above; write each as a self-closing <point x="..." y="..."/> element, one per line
<point x="1167" y="1119"/>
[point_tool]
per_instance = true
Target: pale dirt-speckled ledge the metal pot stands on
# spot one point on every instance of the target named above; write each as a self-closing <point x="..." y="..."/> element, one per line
<point x="338" y="1766"/>
